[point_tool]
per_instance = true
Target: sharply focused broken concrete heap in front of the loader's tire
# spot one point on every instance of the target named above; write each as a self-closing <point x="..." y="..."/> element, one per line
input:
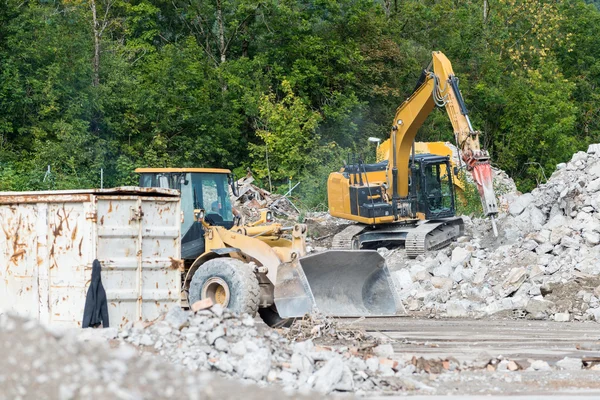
<point x="238" y="346"/>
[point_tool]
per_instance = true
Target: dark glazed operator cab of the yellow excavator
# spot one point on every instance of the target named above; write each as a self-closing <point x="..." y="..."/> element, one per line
<point x="431" y="186"/>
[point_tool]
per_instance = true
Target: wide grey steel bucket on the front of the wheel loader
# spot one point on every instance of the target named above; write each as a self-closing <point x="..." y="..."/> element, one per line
<point x="345" y="283"/>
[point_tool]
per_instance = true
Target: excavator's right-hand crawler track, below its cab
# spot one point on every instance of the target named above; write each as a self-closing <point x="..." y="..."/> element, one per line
<point x="432" y="236"/>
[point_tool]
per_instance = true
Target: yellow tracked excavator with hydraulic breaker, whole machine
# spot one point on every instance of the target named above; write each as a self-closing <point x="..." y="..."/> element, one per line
<point x="409" y="198"/>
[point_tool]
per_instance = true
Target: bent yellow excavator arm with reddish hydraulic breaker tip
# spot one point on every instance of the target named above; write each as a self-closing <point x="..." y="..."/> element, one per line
<point x="438" y="86"/>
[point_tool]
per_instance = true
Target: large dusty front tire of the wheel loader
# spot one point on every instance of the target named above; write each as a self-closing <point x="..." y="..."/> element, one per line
<point x="227" y="277"/>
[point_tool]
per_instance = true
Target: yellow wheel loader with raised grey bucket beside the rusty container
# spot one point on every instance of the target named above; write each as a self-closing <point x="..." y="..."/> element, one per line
<point x="263" y="267"/>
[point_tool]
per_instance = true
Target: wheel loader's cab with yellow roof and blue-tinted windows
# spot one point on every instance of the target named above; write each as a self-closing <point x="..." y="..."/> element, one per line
<point x="201" y="189"/>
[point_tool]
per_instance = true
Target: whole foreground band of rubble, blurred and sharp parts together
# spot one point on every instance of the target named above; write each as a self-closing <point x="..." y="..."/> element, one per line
<point x="170" y="358"/>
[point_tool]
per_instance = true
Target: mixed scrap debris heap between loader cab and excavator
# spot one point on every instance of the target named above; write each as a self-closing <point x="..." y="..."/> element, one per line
<point x="250" y="199"/>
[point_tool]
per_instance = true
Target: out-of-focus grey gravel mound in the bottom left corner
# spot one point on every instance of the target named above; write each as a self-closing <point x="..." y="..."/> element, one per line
<point x="51" y="363"/>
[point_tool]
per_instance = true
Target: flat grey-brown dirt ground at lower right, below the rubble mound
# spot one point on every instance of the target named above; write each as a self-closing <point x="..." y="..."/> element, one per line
<point x="477" y="344"/>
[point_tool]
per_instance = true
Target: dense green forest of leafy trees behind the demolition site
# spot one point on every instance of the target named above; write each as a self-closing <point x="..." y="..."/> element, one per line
<point x="288" y="88"/>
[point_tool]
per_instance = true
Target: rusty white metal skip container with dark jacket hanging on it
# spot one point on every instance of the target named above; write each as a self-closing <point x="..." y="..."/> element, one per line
<point x="48" y="241"/>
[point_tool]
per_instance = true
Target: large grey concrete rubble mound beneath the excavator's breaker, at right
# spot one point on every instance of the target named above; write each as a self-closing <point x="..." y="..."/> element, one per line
<point x="544" y="265"/>
